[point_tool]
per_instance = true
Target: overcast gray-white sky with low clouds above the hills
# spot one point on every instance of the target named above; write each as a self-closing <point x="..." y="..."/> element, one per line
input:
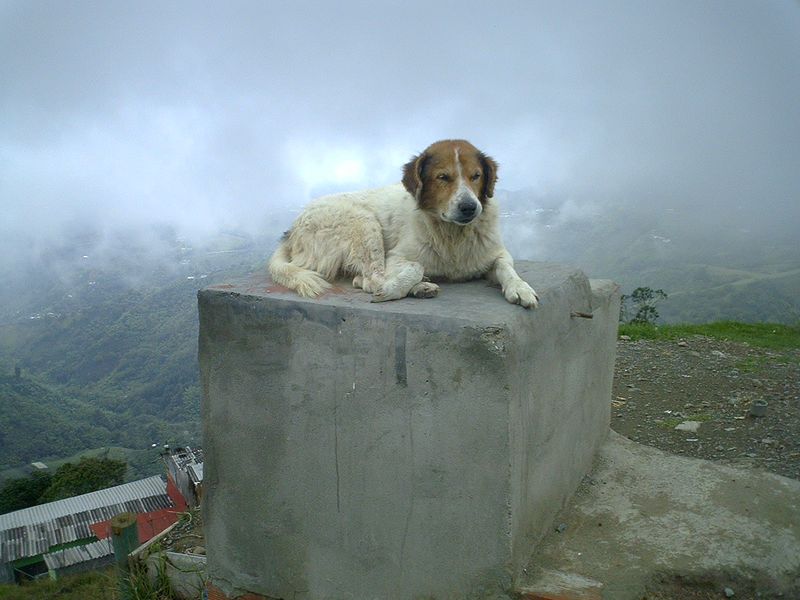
<point x="207" y="116"/>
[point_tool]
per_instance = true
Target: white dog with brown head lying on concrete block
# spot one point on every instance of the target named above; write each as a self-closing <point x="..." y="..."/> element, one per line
<point x="439" y="224"/>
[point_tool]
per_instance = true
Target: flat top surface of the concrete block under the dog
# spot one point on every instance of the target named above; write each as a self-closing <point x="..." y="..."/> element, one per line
<point x="560" y="288"/>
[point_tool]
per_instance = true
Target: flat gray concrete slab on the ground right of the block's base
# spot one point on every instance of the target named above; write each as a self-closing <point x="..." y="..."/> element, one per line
<point x="643" y="512"/>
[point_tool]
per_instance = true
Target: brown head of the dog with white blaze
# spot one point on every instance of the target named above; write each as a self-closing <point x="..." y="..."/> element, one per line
<point x="452" y="180"/>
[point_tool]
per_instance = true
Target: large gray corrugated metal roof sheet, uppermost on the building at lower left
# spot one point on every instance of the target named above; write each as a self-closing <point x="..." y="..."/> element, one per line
<point x="34" y="530"/>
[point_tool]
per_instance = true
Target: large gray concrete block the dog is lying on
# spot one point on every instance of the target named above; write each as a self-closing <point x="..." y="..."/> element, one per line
<point x="415" y="448"/>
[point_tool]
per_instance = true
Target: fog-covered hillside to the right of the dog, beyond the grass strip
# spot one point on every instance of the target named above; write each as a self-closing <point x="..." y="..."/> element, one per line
<point x="709" y="271"/>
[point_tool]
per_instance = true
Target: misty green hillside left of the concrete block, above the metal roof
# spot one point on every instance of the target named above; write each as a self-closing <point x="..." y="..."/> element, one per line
<point x="107" y="357"/>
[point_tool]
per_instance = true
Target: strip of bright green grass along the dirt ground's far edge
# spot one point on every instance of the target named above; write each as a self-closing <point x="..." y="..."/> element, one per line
<point x="764" y="335"/>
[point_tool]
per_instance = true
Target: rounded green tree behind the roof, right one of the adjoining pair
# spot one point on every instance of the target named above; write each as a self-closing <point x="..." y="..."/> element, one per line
<point x="88" y="475"/>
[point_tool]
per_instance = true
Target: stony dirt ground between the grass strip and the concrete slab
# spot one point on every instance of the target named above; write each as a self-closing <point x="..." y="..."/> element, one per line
<point x="660" y="384"/>
